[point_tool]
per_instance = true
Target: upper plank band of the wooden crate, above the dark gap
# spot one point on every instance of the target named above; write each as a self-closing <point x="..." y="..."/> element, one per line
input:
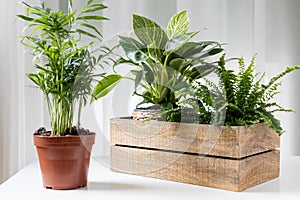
<point x="234" y="142"/>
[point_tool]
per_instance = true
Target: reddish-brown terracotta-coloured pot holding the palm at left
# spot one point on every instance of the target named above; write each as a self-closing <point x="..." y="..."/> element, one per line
<point x="64" y="161"/>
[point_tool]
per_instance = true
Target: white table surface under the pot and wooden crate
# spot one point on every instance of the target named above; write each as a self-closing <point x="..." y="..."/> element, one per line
<point x="106" y="185"/>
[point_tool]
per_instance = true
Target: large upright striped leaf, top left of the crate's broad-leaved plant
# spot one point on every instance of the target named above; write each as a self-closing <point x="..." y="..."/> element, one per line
<point x="149" y="32"/>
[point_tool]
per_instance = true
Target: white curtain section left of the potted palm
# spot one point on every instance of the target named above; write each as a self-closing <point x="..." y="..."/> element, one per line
<point x="21" y="107"/>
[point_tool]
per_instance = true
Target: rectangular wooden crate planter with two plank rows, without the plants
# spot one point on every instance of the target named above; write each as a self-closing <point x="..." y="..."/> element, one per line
<point x="233" y="158"/>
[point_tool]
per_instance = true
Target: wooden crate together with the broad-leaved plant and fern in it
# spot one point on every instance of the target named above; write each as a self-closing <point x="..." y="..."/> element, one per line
<point x="231" y="144"/>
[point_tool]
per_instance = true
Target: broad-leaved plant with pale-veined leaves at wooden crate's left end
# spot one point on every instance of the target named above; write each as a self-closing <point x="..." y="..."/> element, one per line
<point x="166" y="61"/>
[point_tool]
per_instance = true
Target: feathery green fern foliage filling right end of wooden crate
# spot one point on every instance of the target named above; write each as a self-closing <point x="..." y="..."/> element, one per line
<point x="241" y="97"/>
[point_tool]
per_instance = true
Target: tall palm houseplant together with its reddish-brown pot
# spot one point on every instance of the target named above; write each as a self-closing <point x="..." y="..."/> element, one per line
<point x="65" y="75"/>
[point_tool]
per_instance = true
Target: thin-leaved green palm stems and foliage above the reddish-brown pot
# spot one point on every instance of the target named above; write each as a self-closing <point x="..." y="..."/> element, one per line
<point x="64" y="66"/>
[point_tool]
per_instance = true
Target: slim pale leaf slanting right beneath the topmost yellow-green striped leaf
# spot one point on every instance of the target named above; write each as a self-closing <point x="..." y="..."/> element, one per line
<point x="177" y="42"/>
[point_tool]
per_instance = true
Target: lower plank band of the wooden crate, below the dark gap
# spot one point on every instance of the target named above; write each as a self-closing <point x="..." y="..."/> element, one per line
<point x="222" y="173"/>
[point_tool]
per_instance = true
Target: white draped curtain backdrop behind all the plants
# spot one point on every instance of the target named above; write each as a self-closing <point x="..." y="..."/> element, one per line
<point x="267" y="27"/>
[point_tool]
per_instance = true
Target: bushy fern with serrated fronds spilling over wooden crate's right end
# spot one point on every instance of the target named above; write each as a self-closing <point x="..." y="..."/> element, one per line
<point x="248" y="100"/>
